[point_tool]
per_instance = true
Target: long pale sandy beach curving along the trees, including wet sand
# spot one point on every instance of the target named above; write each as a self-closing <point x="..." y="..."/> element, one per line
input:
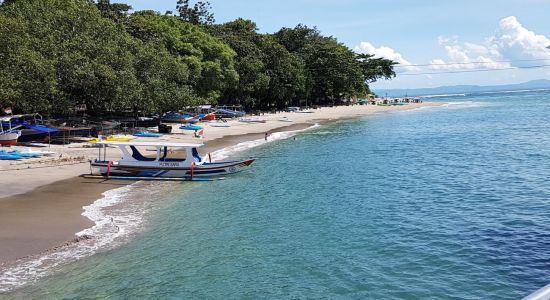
<point x="41" y="199"/>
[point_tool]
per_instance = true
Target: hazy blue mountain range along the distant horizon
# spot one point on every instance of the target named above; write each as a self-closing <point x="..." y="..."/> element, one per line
<point x="465" y="89"/>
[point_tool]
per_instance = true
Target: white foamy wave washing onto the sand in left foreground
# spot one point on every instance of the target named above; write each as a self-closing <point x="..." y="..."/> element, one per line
<point x="116" y="215"/>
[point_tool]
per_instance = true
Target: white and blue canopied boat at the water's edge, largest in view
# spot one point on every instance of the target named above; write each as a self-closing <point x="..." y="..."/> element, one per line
<point x="187" y="164"/>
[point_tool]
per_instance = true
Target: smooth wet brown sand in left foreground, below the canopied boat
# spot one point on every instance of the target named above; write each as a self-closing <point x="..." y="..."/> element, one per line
<point x="47" y="217"/>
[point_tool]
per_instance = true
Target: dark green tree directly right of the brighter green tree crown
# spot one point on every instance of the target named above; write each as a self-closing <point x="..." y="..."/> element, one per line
<point x="270" y="76"/>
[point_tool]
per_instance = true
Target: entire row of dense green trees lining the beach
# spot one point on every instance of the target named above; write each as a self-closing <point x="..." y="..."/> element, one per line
<point x="56" y="55"/>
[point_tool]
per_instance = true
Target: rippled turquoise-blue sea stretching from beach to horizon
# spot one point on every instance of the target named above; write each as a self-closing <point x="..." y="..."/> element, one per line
<point x="451" y="202"/>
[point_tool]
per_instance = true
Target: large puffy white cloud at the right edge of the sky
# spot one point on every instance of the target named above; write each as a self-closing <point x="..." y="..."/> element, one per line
<point x="512" y="45"/>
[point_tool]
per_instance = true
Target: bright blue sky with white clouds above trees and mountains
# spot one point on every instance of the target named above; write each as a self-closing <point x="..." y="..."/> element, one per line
<point x="436" y="42"/>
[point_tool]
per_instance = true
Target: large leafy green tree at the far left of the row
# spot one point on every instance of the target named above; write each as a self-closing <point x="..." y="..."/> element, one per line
<point x="61" y="61"/>
